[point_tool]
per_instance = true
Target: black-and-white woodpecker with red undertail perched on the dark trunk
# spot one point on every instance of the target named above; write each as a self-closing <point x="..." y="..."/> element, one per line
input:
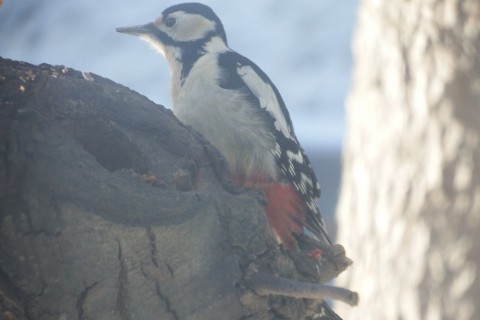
<point x="234" y="104"/>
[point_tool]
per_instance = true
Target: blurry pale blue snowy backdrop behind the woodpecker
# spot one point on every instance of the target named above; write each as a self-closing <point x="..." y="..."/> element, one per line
<point x="304" y="46"/>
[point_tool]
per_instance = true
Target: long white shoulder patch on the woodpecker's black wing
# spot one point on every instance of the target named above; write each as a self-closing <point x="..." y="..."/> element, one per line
<point x="266" y="96"/>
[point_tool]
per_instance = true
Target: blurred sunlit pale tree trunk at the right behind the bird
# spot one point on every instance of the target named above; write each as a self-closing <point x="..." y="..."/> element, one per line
<point x="409" y="211"/>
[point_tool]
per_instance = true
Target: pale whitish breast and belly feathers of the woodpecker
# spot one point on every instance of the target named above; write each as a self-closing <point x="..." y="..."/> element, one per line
<point x="225" y="118"/>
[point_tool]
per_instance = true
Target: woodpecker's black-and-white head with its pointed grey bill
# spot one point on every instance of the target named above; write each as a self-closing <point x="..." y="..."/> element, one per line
<point x="183" y="26"/>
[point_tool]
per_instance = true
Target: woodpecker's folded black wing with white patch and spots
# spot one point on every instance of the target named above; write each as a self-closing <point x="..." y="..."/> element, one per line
<point x="239" y="73"/>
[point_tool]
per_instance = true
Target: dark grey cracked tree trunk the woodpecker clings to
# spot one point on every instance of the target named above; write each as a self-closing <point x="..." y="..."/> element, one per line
<point x="85" y="235"/>
